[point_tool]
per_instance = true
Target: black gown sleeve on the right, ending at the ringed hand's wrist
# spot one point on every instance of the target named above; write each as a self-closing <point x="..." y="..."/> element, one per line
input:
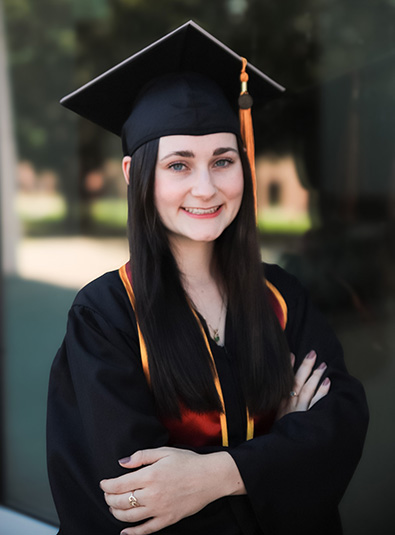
<point x="296" y="475"/>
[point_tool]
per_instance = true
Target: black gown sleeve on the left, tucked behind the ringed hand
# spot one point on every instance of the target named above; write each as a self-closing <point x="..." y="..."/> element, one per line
<point x="99" y="410"/>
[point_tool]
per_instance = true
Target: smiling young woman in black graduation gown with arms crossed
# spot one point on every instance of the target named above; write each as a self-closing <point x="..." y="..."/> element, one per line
<point x="173" y="405"/>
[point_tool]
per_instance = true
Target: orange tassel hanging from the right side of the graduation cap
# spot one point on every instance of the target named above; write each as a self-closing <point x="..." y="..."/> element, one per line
<point x="246" y="128"/>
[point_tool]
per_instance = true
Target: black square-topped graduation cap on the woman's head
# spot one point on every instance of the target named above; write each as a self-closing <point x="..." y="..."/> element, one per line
<point x="186" y="83"/>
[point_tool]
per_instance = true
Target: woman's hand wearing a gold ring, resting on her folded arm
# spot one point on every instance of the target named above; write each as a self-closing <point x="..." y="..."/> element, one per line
<point x="169" y="484"/>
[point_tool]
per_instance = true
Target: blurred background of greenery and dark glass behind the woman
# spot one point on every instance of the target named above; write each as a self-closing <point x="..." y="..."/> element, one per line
<point x="326" y="176"/>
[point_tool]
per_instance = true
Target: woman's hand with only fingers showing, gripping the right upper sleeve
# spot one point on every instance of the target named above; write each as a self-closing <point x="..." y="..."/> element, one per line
<point x="305" y="393"/>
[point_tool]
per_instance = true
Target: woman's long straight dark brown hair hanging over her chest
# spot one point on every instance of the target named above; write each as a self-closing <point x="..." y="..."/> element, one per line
<point x="180" y="366"/>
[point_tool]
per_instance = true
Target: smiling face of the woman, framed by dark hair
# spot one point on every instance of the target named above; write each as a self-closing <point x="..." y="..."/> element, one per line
<point x="198" y="185"/>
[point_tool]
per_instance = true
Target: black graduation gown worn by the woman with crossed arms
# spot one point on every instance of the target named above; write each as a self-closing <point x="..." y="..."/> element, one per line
<point x="100" y="409"/>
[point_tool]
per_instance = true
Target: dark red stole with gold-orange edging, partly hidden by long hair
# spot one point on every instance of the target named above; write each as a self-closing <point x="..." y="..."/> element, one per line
<point x="202" y="429"/>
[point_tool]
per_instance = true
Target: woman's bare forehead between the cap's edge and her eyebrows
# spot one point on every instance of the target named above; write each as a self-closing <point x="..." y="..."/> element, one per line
<point x="208" y="143"/>
